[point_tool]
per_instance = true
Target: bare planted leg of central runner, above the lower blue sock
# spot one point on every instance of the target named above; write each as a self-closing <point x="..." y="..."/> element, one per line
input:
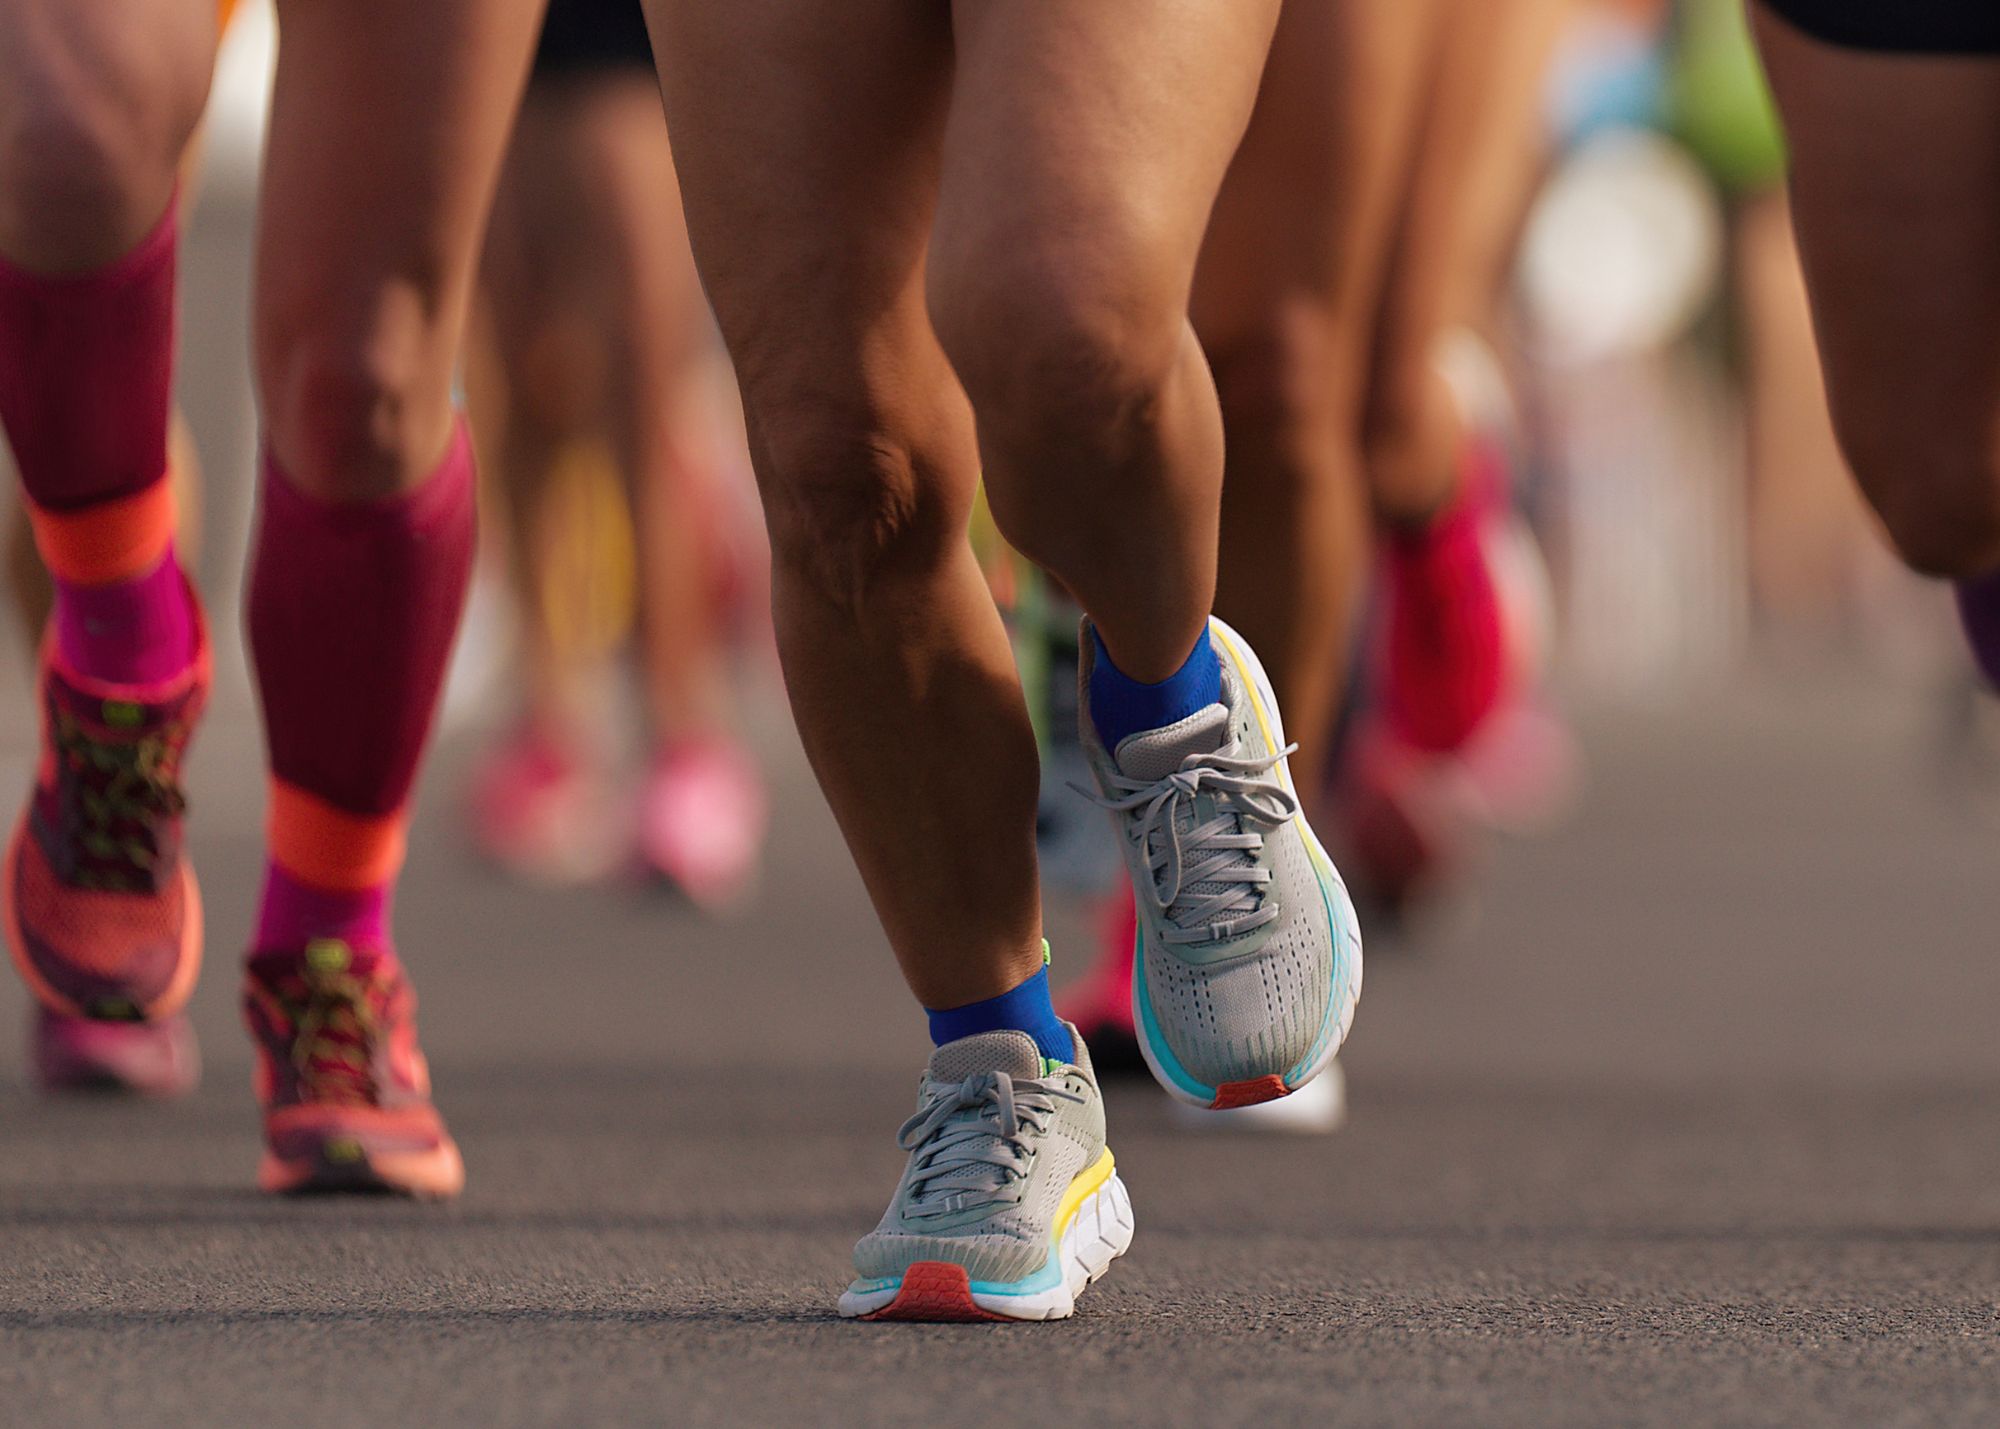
<point x="895" y="657"/>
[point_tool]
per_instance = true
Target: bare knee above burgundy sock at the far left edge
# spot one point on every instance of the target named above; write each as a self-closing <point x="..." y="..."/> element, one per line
<point x="85" y="155"/>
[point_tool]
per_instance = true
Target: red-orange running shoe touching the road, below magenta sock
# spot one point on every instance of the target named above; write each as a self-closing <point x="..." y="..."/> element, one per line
<point x="343" y="1084"/>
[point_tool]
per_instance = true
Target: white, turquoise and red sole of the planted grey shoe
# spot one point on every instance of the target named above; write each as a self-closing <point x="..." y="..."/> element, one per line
<point x="1093" y="1234"/>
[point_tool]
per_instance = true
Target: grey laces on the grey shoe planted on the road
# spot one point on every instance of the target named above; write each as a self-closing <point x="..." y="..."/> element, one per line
<point x="971" y="1144"/>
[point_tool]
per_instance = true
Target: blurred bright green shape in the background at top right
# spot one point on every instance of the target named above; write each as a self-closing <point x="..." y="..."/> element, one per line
<point x="1717" y="97"/>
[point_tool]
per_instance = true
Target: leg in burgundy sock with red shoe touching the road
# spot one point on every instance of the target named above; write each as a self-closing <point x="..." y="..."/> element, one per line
<point x="371" y="225"/>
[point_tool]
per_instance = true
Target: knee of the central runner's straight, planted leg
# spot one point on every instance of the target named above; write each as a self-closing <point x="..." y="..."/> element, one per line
<point x="859" y="511"/>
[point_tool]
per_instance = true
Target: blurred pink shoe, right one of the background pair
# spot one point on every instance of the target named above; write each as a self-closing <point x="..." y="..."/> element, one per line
<point x="701" y="822"/>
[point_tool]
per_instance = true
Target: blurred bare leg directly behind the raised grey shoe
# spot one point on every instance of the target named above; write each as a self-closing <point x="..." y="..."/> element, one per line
<point x="1285" y="303"/>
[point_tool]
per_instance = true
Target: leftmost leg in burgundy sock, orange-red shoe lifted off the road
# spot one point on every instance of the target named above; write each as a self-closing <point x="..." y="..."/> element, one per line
<point x="97" y="105"/>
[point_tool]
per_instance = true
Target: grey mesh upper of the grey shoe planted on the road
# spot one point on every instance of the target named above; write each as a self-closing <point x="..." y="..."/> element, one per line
<point x="995" y="1144"/>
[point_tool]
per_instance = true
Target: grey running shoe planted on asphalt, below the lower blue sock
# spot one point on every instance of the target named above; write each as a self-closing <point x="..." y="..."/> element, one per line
<point x="1011" y="1202"/>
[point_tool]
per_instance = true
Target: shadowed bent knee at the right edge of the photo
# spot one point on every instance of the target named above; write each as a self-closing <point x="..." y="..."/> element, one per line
<point x="1937" y="493"/>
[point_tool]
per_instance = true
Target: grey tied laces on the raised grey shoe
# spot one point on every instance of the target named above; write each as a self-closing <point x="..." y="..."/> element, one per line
<point x="1221" y="852"/>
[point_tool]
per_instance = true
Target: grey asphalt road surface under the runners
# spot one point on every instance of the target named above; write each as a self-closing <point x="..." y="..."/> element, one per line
<point x="1691" y="1122"/>
